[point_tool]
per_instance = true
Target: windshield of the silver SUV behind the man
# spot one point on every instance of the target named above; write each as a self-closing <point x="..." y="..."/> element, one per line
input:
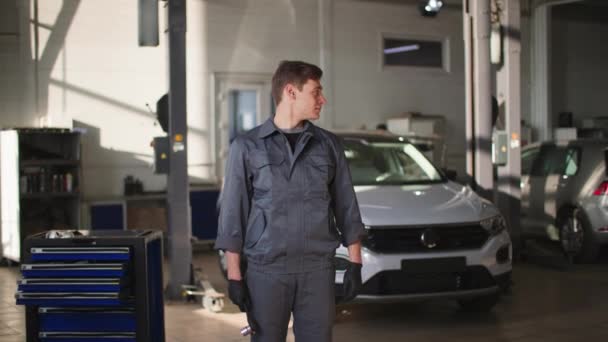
<point x="388" y="163"/>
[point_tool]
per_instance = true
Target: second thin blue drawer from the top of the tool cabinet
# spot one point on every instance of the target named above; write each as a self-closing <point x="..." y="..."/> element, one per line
<point x="74" y="270"/>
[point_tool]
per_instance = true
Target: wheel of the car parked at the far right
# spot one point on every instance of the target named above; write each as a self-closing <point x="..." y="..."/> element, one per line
<point x="576" y="237"/>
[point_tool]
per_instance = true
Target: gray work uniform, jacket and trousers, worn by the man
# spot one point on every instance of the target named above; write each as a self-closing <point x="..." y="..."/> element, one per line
<point x="287" y="212"/>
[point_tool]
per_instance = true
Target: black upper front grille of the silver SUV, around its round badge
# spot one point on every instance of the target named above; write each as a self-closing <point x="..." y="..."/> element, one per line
<point x="409" y="239"/>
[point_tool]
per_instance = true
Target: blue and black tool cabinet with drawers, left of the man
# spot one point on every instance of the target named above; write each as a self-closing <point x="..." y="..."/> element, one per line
<point x="94" y="286"/>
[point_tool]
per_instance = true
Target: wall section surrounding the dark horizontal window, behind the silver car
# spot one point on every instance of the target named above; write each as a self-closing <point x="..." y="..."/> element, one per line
<point x="365" y="93"/>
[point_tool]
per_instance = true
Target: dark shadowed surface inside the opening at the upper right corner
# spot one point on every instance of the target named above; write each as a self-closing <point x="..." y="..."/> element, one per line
<point x="579" y="68"/>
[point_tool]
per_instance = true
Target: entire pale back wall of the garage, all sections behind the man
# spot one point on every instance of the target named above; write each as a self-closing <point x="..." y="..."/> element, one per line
<point x="90" y="73"/>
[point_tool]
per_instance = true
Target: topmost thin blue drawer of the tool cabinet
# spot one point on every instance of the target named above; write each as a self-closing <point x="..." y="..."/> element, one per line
<point x="80" y="253"/>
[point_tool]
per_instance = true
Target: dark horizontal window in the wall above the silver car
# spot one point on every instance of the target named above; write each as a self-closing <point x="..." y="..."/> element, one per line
<point x="412" y="52"/>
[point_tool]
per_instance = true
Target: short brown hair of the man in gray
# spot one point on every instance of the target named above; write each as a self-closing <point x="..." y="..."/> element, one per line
<point x="294" y="72"/>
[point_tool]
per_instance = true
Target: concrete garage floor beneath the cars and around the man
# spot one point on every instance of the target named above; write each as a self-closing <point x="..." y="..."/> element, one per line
<point x="546" y="304"/>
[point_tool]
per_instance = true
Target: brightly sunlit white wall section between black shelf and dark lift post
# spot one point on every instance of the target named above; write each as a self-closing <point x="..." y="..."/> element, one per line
<point x="92" y="74"/>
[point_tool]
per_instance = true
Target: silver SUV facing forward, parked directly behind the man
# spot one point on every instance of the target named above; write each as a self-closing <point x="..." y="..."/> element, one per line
<point x="427" y="236"/>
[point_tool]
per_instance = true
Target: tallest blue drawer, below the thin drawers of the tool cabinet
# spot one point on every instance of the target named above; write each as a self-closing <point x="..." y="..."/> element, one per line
<point x="88" y="319"/>
